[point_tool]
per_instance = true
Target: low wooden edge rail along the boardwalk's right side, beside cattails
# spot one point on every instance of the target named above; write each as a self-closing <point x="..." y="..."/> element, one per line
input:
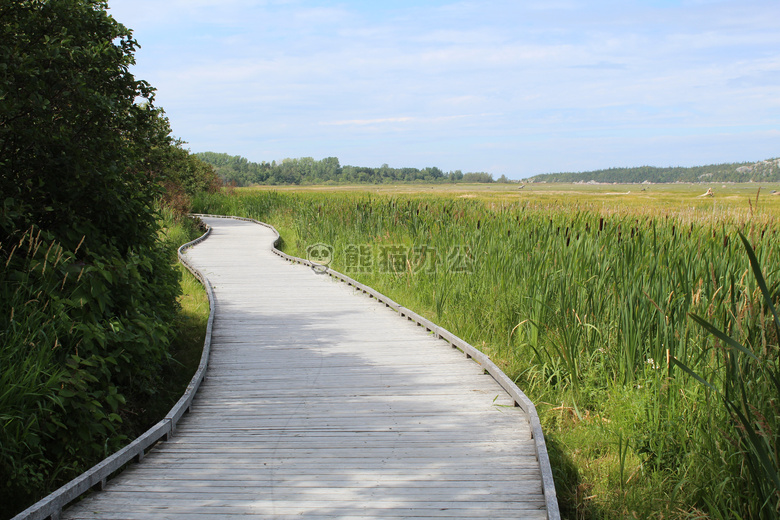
<point x="521" y="400"/>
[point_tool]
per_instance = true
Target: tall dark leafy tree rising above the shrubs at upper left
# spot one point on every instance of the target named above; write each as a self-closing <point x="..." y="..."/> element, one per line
<point x="72" y="136"/>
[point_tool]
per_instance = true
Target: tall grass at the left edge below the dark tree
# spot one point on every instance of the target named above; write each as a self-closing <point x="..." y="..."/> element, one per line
<point x="29" y="377"/>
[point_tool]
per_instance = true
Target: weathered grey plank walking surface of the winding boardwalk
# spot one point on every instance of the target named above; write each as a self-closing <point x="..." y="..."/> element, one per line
<point x="321" y="403"/>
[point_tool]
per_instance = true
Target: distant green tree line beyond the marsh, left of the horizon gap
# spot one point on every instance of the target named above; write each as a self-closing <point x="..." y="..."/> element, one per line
<point x="239" y="171"/>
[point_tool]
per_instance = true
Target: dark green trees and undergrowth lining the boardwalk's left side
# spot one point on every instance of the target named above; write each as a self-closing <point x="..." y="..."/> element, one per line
<point x="87" y="289"/>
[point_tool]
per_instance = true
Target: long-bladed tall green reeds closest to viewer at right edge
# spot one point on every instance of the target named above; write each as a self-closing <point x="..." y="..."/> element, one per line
<point x="745" y="378"/>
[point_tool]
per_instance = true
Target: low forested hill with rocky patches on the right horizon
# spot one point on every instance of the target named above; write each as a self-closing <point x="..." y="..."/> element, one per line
<point x="766" y="171"/>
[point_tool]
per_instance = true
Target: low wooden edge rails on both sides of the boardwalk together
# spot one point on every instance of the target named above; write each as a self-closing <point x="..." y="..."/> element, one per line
<point x="96" y="477"/>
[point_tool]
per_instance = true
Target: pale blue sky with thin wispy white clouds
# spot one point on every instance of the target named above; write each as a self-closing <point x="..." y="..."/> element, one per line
<point x="508" y="87"/>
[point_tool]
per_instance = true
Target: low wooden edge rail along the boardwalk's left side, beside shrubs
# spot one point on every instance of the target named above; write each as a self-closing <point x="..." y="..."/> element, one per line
<point x="51" y="506"/>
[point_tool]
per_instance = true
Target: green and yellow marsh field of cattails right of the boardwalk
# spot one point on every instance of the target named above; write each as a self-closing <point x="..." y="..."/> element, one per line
<point x="588" y="296"/>
